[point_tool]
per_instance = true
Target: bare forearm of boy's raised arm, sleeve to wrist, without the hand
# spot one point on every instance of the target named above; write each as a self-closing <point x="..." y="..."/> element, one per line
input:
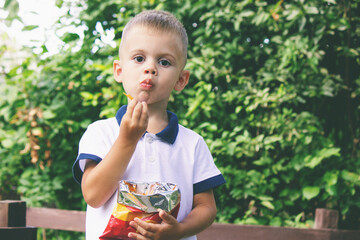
<point x="100" y="181"/>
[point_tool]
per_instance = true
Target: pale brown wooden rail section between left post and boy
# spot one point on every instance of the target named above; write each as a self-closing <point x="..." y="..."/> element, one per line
<point x="56" y="219"/>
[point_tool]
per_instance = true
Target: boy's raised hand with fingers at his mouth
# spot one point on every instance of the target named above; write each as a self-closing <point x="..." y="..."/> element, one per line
<point x="135" y="121"/>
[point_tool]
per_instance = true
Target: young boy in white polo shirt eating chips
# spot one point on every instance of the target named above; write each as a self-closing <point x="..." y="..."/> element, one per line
<point x="144" y="141"/>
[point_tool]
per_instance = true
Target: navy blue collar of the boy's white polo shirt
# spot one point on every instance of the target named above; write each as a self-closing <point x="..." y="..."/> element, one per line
<point x="168" y="134"/>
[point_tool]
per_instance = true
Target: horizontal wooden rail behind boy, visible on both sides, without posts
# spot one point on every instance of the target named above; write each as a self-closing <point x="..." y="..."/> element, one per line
<point x="75" y="221"/>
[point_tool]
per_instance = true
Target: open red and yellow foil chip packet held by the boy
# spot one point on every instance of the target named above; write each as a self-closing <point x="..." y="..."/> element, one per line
<point x="141" y="200"/>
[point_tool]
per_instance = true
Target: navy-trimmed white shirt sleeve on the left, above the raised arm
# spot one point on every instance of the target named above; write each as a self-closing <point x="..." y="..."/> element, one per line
<point x="91" y="147"/>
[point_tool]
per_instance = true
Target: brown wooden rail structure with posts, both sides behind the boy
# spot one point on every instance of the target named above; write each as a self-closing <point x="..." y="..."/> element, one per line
<point x="19" y="222"/>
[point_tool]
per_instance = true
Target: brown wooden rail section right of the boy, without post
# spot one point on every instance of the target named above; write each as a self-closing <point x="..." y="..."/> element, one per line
<point x="248" y="232"/>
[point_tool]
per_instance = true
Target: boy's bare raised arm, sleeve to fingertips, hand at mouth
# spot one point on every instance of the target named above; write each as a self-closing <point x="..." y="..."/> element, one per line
<point x="100" y="181"/>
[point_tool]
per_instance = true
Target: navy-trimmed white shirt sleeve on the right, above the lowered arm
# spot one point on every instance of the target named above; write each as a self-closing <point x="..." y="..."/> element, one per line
<point x="206" y="174"/>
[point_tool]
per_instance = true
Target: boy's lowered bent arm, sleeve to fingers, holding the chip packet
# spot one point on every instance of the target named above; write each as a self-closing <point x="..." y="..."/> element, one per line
<point x="201" y="217"/>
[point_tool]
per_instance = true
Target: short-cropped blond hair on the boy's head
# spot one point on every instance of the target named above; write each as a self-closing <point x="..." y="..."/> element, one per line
<point x="161" y="21"/>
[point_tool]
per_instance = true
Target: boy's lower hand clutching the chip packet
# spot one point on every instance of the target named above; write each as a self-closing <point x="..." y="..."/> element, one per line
<point x="169" y="229"/>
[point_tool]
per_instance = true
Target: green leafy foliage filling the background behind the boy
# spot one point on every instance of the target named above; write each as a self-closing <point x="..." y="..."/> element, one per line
<point x="274" y="90"/>
